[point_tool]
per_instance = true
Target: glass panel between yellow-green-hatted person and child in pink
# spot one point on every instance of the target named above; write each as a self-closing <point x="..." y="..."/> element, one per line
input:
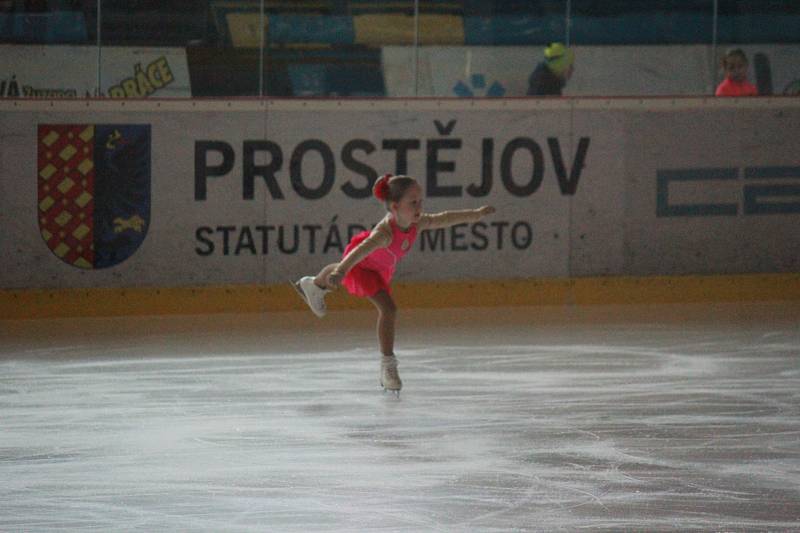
<point x="641" y="47"/>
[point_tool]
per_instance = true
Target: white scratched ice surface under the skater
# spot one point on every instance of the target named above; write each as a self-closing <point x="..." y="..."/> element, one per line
<point x="647" y="418"/>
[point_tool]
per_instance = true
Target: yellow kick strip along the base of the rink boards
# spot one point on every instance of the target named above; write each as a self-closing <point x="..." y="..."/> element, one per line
<point x="720" y="289"/>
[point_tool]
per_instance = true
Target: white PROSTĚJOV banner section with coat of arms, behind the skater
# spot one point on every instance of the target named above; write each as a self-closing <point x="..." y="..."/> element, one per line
<point x="261" y="193"/>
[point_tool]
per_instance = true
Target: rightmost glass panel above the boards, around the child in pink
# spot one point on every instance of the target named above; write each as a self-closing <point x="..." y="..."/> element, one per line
<point x="767" y="32"/>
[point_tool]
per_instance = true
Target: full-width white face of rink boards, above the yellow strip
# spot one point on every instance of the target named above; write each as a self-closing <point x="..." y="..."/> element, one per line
<point x="600" y="219"/>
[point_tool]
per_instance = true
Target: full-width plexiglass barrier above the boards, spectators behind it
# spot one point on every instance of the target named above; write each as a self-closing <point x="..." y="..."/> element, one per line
<point x="396" y="48"/>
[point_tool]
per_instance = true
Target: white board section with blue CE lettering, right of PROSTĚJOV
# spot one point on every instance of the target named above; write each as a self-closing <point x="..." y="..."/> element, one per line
<point x="741" y="144"/>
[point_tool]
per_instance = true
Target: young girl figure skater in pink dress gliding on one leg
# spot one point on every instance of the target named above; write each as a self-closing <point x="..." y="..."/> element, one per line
<point x="370" y="259"/>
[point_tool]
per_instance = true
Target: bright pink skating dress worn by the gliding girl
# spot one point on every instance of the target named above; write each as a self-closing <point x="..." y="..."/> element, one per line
<point x="374" y="273"/>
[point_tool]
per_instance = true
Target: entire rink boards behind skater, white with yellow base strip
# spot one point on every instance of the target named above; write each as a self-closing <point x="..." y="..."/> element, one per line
<point x="239" y="196"/>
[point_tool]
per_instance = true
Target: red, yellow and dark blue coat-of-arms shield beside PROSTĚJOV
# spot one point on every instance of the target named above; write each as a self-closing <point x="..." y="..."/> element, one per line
<point x="94" y="191"/>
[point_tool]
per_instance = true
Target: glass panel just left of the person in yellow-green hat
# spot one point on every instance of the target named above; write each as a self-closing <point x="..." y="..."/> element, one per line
<point x="479" y="48"/>
